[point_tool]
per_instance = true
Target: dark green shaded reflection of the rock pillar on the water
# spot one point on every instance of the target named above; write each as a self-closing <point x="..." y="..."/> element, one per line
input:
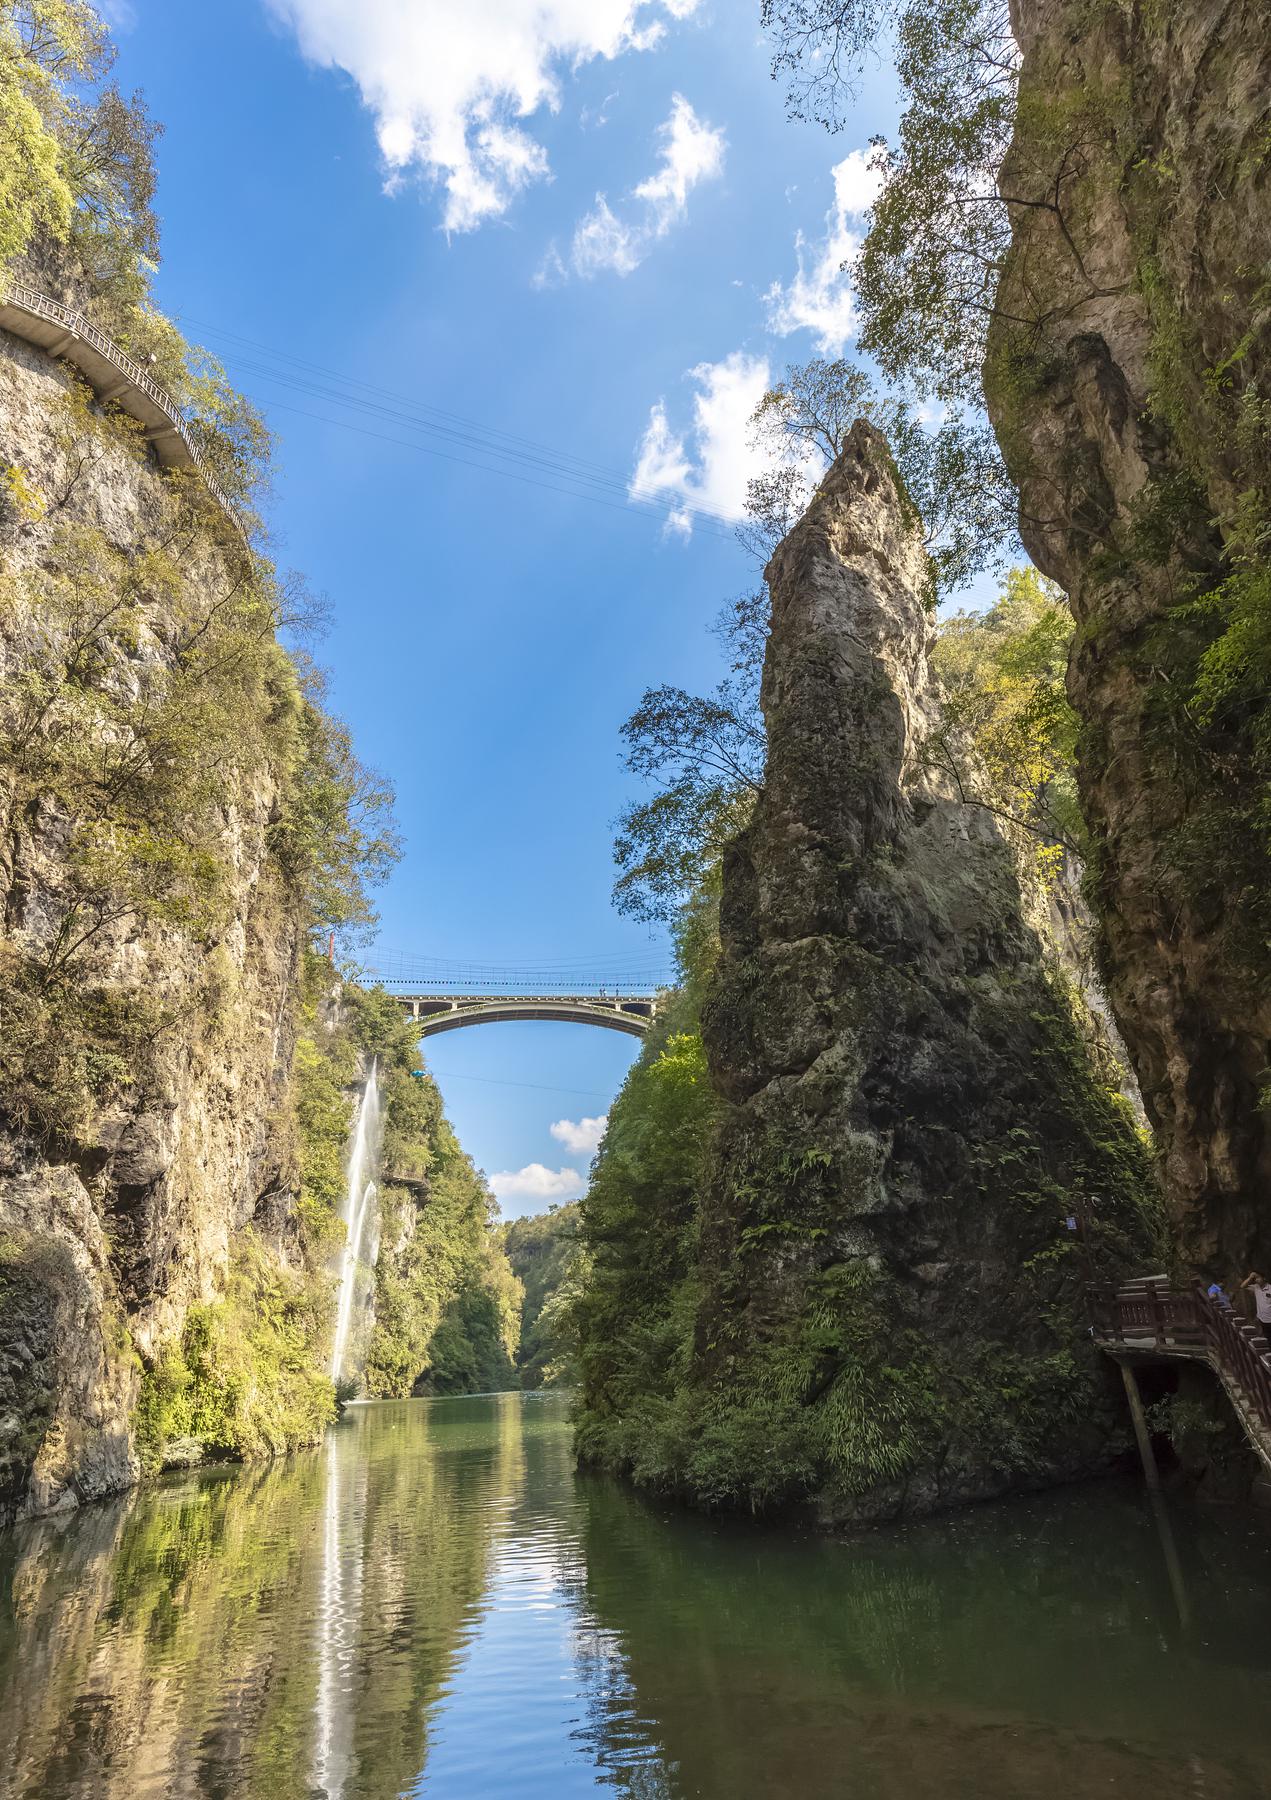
<point x="1029" y="1651"/>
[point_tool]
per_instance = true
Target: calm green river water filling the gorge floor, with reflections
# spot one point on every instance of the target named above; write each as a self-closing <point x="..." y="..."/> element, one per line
<point x="435" y="1603"/>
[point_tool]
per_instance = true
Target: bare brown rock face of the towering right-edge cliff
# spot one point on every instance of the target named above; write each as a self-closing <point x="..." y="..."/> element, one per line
<point x="1126" y="377"/>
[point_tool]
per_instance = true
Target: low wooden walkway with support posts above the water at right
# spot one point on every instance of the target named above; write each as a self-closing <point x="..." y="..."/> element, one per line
<point x="1151" y="1322"/>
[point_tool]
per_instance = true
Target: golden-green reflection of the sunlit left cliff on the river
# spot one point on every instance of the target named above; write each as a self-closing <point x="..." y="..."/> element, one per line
<point x="239" y="1633"/>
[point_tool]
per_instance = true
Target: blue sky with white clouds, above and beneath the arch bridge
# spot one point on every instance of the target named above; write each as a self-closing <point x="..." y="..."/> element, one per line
<point x="406" y="195"/>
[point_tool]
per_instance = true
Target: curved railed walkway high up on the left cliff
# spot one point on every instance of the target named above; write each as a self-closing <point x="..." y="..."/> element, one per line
<point x="113" y="375"/>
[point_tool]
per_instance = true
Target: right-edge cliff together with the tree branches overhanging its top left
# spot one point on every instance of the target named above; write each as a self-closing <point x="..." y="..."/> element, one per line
<point x="1074" y="229"/>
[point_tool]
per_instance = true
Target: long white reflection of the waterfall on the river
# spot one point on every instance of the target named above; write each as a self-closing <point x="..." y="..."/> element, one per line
<point x="339" y="1621"/>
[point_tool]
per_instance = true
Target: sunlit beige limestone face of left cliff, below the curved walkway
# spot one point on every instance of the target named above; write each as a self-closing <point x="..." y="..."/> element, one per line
<point x="150" y="930"/>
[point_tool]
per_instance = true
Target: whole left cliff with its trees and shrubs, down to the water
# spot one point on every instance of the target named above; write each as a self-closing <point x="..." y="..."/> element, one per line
<point x="181" y="816"/>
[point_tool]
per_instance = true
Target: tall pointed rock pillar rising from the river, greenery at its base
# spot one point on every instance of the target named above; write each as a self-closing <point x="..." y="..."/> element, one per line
<point x="915" y="1104"/>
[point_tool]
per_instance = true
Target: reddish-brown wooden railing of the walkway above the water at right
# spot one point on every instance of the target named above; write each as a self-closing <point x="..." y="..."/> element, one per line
<point x="1178" y="1322"/>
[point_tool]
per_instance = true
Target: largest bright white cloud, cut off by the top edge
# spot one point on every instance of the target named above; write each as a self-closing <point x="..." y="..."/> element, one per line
<point x="449" y="82"/>
